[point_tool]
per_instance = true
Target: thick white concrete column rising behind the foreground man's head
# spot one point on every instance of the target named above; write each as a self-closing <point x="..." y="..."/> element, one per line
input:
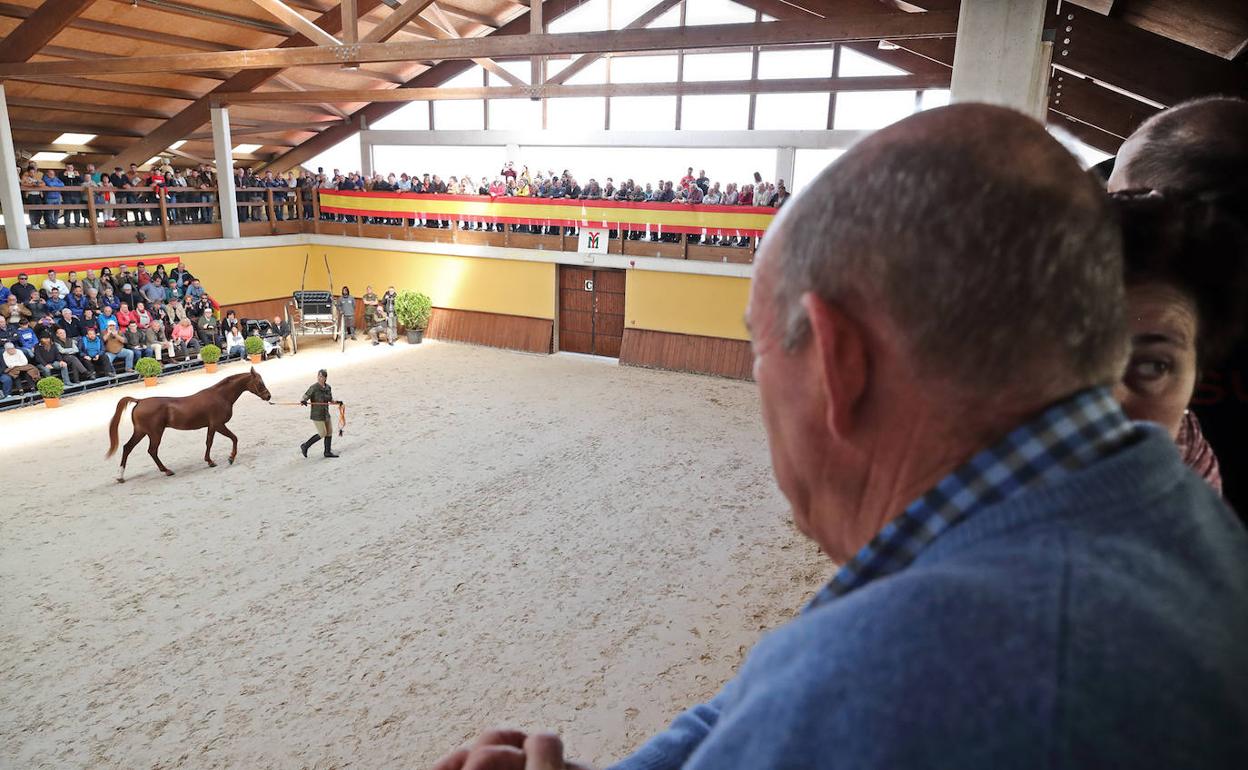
<point x="1000" y="56"/>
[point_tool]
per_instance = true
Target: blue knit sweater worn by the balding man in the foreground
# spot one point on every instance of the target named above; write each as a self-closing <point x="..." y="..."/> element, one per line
<point x="1096" y="622"/>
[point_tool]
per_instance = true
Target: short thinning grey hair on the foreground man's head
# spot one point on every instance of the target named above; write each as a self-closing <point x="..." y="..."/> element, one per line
<point x="983" y="240"/>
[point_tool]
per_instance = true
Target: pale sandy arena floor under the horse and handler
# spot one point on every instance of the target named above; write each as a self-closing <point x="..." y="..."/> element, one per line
<point x="544" y="542"/>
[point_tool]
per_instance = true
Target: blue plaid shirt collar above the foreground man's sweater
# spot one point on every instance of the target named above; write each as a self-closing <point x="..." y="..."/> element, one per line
<point x="1066" y="437"/>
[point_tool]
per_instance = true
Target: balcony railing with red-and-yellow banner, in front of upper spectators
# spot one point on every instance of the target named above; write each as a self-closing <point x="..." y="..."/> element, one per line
<point x="95" y="215"/>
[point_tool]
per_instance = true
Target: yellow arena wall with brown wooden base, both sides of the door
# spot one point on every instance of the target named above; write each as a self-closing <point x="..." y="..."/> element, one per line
<point x="682" y="321"/>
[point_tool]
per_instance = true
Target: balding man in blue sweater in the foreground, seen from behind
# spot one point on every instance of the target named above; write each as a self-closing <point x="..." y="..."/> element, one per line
<point x="1029" y="580"/>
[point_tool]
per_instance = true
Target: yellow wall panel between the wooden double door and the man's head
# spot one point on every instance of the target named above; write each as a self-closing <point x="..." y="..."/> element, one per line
<point x="711" y="306"/>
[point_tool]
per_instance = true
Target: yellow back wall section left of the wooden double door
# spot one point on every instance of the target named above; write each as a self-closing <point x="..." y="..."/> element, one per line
<point x="472" y="284"/>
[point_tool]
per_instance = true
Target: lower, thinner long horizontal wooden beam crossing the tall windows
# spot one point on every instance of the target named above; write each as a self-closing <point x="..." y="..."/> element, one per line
<point x="794" y="85"/>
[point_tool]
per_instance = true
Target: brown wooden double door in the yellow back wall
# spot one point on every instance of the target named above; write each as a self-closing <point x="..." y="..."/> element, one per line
<point x="591" y="311"/>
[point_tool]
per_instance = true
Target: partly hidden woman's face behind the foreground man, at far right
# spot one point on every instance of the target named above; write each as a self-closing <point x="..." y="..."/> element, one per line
<point x="1163" y="373"/>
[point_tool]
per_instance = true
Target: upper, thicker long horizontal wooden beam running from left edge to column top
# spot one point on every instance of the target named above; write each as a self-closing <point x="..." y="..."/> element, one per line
<point x="892" y="27"/>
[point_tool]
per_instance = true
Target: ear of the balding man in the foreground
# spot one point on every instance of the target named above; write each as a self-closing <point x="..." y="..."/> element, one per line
<point x="841" y="349"/>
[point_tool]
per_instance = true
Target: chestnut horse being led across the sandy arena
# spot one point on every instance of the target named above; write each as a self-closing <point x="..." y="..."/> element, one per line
<point x="210" y="409"/>
